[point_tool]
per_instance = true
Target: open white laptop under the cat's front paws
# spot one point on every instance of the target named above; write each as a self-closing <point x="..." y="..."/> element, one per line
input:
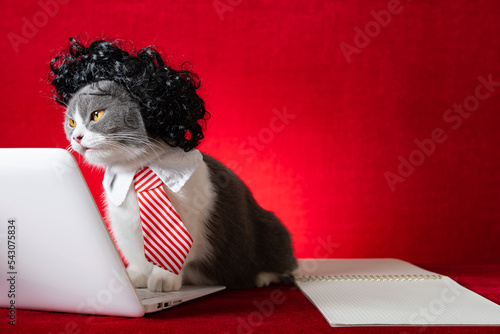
<point x="55" y="251"/>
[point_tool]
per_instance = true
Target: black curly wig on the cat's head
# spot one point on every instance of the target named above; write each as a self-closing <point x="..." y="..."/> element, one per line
<point x="171" y="109"/>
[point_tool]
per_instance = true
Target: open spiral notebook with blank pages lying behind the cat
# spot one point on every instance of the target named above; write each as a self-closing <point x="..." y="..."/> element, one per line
<point x="390" y="292"/>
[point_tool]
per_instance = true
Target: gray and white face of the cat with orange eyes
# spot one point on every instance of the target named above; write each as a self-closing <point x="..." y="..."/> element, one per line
<point x="105" y="126"/>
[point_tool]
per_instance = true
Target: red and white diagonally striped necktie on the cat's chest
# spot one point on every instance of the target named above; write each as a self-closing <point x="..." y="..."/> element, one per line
<point x="166" y="239"/>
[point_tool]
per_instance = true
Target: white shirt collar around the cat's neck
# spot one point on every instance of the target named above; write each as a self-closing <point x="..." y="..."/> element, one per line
<point x="174" y="169"/>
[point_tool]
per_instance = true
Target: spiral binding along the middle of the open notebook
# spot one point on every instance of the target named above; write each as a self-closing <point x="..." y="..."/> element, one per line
<point x="367" y="278"/>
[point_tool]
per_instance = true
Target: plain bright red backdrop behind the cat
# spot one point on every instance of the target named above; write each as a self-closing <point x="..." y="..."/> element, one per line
<point x="322" y="171"/>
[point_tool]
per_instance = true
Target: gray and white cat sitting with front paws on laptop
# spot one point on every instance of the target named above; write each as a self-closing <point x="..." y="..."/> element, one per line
<point x="235" y="242"/>
